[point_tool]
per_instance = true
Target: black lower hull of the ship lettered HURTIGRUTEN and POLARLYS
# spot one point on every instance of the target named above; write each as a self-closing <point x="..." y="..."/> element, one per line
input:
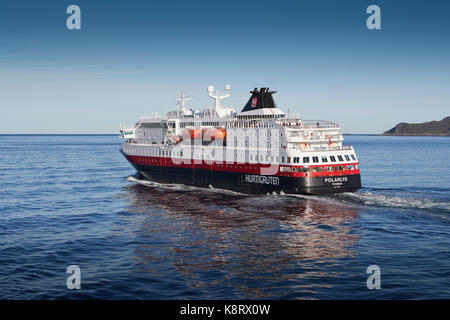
<point x="247" y="182"/>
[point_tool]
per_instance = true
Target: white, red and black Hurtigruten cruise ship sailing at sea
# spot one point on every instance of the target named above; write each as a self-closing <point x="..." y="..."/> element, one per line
<point x="260" y="149"/>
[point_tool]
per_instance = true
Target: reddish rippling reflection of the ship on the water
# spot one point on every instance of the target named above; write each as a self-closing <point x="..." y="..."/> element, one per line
<point x="259" y="247"/>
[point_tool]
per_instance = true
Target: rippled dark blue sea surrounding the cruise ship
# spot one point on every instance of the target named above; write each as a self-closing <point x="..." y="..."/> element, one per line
<point x="66" y="200"/>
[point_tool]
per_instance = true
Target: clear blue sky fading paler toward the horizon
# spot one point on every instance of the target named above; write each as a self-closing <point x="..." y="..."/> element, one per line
<point x="131" y="57"/>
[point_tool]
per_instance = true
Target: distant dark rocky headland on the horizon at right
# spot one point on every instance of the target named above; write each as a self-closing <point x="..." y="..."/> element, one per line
<point x="431" y="128"/>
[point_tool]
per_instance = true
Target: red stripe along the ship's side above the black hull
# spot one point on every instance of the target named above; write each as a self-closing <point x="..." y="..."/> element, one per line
<point x="250" y="168"/>
